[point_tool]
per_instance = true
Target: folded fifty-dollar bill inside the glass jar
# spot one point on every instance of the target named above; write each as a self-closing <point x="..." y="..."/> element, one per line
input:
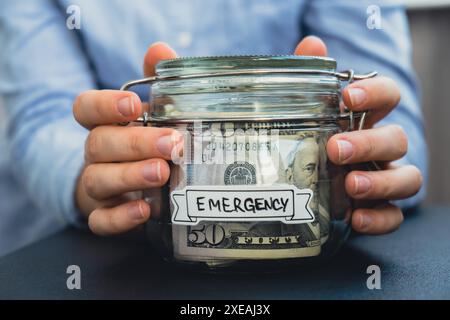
<point x="244" y="194"/>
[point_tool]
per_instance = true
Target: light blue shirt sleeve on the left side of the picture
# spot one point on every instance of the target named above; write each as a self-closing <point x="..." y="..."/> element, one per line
<point x="42" y="70"/>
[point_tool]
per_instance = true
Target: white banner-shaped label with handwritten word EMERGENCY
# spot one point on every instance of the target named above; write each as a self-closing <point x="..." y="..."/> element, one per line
<point x="285" y="203"/>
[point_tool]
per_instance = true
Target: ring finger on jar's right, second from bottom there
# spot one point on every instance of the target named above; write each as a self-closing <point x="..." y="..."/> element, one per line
<point x="392" y="184"/>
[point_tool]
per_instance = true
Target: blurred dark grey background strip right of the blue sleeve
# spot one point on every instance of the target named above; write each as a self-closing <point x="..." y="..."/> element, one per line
<point x="430" y="28"/>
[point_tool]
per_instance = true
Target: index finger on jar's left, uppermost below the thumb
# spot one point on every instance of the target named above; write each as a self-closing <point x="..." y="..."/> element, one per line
<point x="97" y="107"/>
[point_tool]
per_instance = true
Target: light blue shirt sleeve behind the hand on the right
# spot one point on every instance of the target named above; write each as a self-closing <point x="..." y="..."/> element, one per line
<point x="358" y="42"/>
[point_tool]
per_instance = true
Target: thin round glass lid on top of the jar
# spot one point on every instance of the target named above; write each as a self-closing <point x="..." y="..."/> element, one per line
<point x="211" y="64"/>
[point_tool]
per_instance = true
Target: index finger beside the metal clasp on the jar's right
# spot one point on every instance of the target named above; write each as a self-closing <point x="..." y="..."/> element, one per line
<point x="379" y="95"/>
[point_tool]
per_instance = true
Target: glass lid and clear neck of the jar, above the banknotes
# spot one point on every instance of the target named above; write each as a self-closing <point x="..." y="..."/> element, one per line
<point x="248" y="88"/>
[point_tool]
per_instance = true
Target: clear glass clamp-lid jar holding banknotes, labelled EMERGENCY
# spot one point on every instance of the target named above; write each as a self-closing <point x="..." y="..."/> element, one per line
<point x="251" y="185"/>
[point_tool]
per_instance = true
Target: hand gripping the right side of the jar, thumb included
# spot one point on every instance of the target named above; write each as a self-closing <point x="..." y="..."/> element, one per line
<point x="380" y="95"/>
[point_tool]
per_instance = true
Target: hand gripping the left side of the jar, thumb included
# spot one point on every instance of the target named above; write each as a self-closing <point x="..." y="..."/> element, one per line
<point x="121" y="160"/>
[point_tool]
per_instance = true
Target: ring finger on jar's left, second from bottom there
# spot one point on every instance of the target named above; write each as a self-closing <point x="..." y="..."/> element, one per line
<point x="106" y="180"/>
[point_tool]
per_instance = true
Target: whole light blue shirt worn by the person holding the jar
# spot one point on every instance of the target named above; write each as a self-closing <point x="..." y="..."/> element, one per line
<point x="44" y="65"/>
